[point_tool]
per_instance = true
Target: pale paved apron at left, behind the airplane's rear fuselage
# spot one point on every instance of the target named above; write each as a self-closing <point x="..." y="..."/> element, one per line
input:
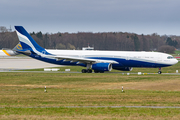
<point x="19" y="63"/>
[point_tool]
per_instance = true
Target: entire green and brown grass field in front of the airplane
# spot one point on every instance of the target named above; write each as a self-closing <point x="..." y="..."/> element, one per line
<point x="20" y="92"/>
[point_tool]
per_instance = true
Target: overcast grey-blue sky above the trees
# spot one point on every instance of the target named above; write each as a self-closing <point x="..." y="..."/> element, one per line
<point x="133" y="16"/>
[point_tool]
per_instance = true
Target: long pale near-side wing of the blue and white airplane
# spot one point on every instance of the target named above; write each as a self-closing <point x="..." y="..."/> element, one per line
<point x="80" y="59"/>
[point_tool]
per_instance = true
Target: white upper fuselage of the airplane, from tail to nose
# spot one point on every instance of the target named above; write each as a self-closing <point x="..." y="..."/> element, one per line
<point x="149" y="57"/>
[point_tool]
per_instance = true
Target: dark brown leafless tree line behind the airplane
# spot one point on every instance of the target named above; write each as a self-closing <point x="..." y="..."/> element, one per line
<point x="117" y="41"/>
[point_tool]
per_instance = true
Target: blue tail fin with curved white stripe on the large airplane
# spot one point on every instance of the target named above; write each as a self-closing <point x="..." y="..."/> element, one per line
<point x="26" y="41"/>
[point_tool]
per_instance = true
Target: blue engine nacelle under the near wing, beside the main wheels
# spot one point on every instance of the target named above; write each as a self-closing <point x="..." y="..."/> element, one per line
<point x="102" y="66"/>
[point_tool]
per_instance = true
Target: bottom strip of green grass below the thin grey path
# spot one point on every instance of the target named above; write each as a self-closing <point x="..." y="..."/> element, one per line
<point x="89" y="113"/>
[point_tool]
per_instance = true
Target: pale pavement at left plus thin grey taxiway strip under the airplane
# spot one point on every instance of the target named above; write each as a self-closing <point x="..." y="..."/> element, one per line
<point x="14" y="63"/>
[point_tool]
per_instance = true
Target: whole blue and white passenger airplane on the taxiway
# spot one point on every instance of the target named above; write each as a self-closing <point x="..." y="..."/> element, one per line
<point x="99" y="61"/>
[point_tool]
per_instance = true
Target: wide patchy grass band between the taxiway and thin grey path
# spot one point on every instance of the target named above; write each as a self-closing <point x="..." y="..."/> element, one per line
<point x="27" y="89"/>
